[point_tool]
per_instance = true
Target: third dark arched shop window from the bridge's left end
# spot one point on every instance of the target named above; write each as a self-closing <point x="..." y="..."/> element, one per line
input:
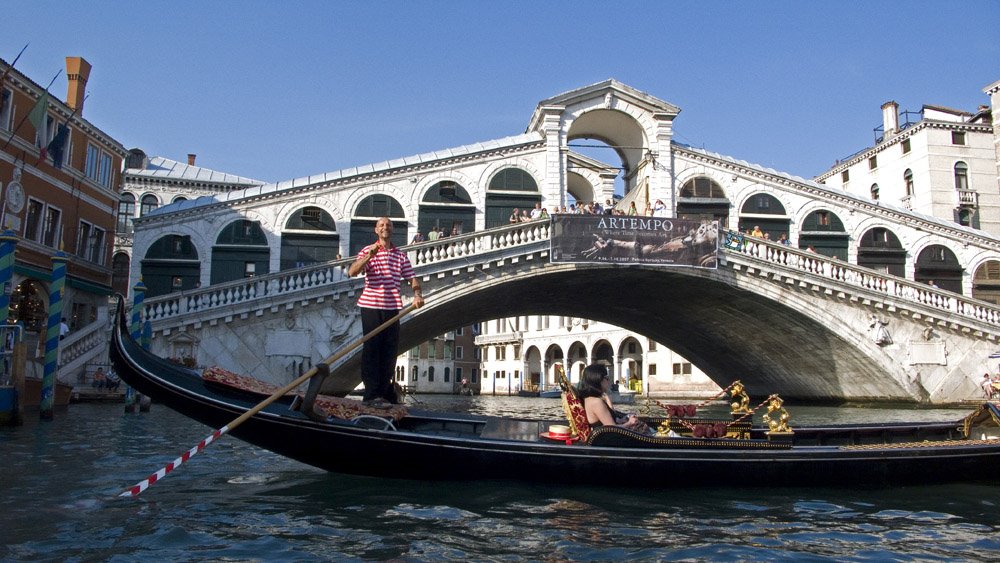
<point x="309" y="237"/>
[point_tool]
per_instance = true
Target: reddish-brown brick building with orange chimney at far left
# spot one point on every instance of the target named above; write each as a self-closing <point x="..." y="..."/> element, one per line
<point x="59" y="175"/>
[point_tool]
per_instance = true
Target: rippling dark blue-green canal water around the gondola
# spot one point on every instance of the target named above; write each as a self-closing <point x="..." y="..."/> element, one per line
<point x="59" y="483"/>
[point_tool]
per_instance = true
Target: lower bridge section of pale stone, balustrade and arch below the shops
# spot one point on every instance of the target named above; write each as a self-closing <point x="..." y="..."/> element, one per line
<point x="781" y="319"/>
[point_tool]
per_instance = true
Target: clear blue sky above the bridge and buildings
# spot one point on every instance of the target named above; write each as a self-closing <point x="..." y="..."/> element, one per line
<point x="280" y="90"/>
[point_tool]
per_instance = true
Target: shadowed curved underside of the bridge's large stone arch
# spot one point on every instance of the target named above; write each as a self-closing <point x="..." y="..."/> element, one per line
<point x="772" y="342"/>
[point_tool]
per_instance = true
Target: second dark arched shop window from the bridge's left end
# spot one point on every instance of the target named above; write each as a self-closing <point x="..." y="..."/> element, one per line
<point x="239" y="244"/>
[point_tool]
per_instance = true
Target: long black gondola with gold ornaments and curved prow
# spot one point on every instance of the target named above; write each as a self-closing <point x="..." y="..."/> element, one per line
<point x="424" y="444"/>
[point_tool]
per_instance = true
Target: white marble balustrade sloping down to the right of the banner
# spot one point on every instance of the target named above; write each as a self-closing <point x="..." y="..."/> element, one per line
<point x="856" y="276"/>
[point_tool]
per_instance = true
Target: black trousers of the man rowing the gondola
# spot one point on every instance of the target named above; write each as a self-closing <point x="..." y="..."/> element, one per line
<point x="378" y="356"/>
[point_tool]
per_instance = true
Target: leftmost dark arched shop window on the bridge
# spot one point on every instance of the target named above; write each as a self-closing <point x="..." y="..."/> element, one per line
<point x="169" y="258"/>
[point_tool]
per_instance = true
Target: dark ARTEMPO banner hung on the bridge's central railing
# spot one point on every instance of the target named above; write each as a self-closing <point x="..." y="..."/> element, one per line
<point x="621" y="239"/>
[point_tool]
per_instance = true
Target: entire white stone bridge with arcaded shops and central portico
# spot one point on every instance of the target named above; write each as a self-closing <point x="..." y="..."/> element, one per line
<point x="245" y="280"/>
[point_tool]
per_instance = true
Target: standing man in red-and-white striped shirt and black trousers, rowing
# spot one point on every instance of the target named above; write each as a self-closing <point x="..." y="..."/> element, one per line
<point x="384" y="266"/>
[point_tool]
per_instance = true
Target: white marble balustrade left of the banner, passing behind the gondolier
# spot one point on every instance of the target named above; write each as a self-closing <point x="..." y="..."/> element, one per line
<point x="285" y="285"/>
